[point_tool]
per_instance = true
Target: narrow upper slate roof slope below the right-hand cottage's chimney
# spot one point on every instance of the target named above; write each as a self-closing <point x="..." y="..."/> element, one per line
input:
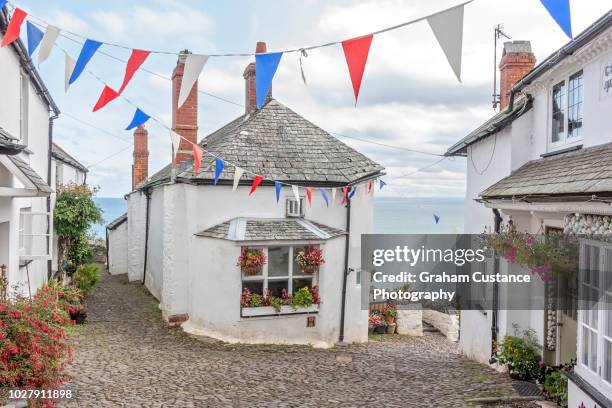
<point x="496" y="123"/>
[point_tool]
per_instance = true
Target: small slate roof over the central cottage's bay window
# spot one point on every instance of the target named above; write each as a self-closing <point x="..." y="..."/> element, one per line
<point x="266" y="229"/>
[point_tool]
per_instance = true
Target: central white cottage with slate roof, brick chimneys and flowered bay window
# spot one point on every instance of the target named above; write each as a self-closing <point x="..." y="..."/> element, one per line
<point x="185" y="234"/>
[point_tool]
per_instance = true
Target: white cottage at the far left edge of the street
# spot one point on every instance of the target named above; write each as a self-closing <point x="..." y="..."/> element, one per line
<point x="27" y="112"/>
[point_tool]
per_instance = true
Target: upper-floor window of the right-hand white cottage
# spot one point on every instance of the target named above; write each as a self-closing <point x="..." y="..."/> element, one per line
<point x="567" y="105"/>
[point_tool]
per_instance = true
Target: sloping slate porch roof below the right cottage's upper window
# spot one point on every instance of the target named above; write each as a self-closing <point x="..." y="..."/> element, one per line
<point x="586" y="171"/>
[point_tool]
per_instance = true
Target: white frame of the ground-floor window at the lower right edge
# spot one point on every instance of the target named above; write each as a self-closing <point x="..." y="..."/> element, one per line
<point x="595" y="378"/>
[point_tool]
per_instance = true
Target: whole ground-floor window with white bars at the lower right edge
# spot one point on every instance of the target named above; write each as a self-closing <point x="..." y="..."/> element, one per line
<point x="595" y="316"/>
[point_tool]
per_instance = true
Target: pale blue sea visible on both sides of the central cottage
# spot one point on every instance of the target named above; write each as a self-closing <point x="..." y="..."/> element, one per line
<point x="391" y="215"/>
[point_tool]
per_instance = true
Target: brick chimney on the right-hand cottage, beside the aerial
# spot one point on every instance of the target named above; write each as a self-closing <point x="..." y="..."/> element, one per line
<point x="517" y="60"/>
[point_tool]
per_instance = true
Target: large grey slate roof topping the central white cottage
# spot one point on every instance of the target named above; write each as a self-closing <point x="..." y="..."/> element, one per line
<point x="279" y="144"/>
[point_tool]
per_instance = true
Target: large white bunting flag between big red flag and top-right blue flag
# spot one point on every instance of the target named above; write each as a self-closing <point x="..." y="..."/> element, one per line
<point x="447" y="26"/>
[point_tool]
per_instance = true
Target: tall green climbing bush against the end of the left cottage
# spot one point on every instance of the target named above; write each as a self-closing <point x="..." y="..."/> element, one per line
<point x="75" y="212"/>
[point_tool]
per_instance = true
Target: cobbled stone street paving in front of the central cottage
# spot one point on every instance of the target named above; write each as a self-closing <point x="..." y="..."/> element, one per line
<point x="126" y="356"/>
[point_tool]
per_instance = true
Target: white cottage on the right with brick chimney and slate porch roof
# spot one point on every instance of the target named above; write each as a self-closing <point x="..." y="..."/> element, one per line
<point x="544" y="162"/>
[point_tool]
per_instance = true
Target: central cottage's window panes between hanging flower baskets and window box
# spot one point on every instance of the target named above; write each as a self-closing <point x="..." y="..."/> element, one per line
<point x="280" y="272"/>
